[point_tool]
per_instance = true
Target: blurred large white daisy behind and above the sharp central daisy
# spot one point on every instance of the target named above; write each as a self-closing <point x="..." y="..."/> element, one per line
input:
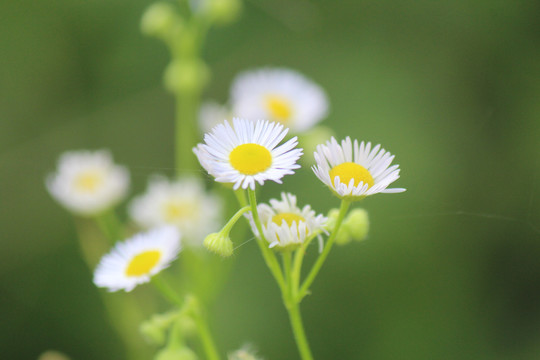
<point x="280" y="95"/>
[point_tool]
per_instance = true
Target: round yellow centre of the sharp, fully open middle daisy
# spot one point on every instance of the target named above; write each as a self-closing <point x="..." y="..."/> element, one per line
<point x="250" y="159"/>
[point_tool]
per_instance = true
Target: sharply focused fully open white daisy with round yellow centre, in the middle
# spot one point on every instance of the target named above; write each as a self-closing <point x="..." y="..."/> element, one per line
<point x="247" y="152"/>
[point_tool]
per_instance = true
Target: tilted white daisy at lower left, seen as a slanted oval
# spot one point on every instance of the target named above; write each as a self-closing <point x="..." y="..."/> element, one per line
<point x="136" y="260"/>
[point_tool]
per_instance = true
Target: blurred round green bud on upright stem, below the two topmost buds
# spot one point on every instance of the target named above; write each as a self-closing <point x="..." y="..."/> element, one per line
<point x="186" y="76"/>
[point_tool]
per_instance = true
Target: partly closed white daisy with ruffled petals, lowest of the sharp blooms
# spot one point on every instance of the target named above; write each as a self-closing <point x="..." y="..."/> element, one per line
<point x="284" y="224"/>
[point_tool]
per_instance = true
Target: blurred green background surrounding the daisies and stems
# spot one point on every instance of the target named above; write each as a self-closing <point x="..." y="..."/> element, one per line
<point x="451" y="268"/>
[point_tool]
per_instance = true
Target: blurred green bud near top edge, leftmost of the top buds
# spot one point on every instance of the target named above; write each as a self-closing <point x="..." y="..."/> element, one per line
<point x="159" y="19"/>
